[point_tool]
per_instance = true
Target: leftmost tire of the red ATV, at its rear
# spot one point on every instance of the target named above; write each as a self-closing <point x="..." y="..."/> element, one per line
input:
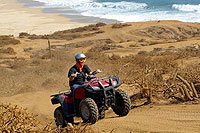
<point x="59" y="117"/>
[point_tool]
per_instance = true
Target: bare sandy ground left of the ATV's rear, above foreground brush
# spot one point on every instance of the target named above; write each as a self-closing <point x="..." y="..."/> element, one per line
<point x="36" y="102"/>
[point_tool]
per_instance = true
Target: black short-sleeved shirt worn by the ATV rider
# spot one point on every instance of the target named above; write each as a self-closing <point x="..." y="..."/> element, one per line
<point x="80" y="78"/>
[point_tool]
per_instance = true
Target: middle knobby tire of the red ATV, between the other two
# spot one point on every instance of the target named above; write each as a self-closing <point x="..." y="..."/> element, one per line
<point x="88" y="110"/>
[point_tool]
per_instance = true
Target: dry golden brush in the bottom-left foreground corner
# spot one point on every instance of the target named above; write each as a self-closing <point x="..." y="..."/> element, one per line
<point x="16" y="119"/>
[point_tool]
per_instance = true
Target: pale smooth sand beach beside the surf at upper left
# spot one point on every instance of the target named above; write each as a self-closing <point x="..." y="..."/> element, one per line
<point x="14" y="19"/>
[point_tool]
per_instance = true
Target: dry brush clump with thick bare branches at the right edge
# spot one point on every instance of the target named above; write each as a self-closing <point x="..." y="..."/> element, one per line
<point x="183" y="85"/>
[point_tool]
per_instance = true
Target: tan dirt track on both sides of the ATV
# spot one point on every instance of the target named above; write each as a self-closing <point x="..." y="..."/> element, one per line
<point x="173" y="118"/>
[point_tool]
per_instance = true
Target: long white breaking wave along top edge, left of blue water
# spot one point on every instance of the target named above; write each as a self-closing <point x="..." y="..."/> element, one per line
<point x="83" y="5"/>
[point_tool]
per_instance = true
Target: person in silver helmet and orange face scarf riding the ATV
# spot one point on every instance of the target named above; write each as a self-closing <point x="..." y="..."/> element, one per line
<point x="77" y="72"/>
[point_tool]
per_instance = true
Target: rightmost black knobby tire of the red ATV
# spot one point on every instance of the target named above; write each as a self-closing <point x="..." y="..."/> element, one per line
<point x="122" y="103"/>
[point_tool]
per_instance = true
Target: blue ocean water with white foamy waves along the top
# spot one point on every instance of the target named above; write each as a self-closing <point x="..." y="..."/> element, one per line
<point x="128" y="10"/>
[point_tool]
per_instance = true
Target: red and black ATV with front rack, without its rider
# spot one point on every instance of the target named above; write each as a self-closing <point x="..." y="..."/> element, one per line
<point x="90" y="101"/>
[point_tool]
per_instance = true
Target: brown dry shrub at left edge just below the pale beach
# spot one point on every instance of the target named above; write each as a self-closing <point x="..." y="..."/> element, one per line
<point x="6" y="40"/>
